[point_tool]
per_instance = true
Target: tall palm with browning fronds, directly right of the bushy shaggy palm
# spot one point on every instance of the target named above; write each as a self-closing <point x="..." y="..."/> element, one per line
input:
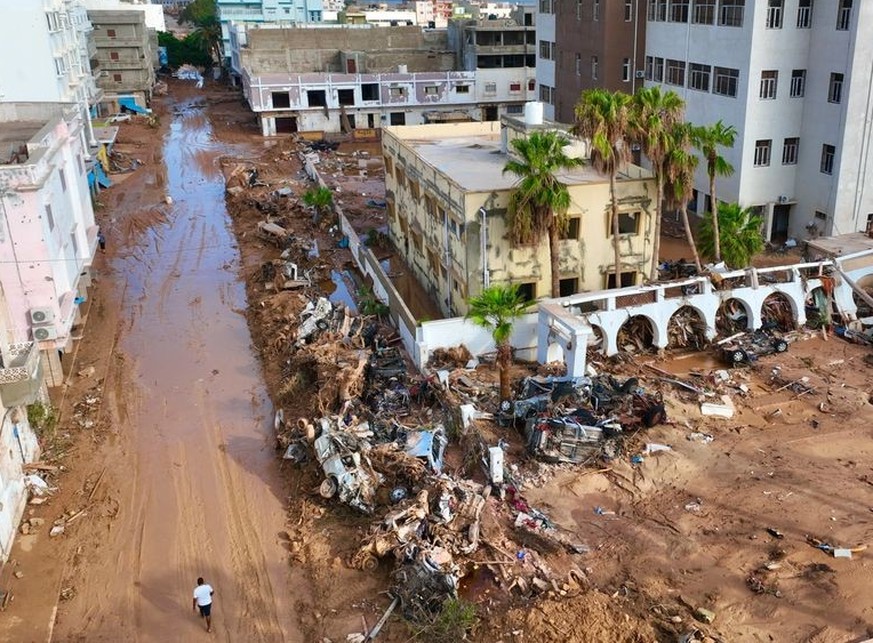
<point x="603" y="118"/>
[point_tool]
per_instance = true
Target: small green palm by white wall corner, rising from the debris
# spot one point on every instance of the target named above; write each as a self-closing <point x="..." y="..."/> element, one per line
<point x="496" y="308"/>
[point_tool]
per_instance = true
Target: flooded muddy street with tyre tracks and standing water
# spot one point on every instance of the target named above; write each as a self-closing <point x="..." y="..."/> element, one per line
<point x="199" y="491"/>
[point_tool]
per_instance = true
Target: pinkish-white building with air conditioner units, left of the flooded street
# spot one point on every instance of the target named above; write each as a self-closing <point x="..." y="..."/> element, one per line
<point x="47" y="230"/>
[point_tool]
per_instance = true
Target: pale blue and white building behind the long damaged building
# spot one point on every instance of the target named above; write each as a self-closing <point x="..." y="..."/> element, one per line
<point x="282" y="12"/>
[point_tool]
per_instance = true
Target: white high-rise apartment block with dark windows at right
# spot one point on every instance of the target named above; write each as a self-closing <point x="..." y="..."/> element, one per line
<point x="795" y="77"/>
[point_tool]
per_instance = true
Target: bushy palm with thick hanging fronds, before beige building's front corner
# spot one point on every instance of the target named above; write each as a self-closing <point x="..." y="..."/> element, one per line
<point x="539" y="202"/>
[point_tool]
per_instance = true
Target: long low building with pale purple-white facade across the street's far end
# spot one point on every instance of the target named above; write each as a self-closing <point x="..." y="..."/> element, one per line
<point x="367" y="78"/>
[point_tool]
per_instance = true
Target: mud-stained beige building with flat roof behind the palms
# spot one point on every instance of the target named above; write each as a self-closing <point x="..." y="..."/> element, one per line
<point x="447" y="198"/>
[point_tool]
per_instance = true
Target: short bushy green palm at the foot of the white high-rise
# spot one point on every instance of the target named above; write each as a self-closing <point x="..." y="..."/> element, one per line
<point x="741" y="235"/>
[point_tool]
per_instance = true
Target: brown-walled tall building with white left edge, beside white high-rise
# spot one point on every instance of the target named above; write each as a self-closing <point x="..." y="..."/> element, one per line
<point x="588" y="44"/>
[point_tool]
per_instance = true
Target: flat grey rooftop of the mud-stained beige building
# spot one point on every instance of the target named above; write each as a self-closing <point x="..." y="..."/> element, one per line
<point x="475" y="161"/>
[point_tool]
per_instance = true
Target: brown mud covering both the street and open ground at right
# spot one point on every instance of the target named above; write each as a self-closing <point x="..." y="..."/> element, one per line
<point x="178" y="476"/>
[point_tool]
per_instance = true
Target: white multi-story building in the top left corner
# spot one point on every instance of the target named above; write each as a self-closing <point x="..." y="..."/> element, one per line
<point x="56" y="36"/>
